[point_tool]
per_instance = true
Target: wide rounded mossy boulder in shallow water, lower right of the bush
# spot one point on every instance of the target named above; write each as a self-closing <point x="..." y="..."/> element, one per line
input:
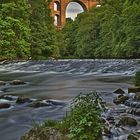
<point x="124" y="121"/>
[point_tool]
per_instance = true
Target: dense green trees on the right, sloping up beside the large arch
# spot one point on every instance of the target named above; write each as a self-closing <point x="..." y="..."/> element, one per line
<point x="109" y="31"/>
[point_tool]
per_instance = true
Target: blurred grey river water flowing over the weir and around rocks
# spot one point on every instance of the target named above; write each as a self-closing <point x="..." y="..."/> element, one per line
<point x="59" y="82"/>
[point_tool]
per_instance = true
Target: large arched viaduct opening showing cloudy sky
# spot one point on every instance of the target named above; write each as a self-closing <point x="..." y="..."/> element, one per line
<point x="74" y="8"/>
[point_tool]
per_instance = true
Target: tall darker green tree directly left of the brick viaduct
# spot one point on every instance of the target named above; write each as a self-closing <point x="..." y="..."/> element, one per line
<point x="42" y="31"/>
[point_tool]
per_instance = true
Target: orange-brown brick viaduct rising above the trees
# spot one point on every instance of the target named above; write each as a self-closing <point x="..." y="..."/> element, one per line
<point x="61" y="12"/>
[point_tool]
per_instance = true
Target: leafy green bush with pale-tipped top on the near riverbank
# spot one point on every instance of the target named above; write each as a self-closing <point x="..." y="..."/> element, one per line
<point x="84" y="118"/>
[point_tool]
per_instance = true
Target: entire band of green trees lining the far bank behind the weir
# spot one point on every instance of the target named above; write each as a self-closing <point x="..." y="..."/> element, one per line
<point x="110" y="31"/>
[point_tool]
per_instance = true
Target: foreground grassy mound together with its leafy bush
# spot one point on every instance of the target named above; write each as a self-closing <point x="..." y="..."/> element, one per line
<point x="82" y="122"/>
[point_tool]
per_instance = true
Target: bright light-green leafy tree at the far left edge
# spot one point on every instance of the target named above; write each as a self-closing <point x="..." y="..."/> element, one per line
<point x="14" y="30"/>
